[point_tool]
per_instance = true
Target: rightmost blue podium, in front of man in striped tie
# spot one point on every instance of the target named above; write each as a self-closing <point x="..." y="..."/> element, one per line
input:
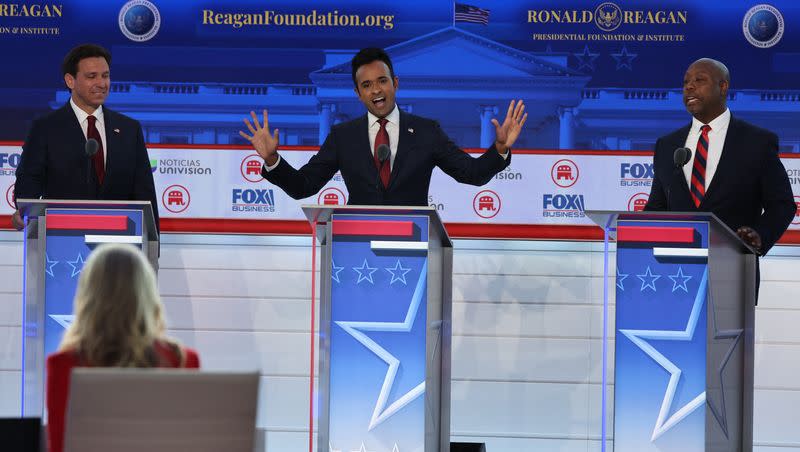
<point x="685" y="296"/>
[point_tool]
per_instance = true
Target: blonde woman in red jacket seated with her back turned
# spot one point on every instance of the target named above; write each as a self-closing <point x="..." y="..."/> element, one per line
<point x="119" y="322"/>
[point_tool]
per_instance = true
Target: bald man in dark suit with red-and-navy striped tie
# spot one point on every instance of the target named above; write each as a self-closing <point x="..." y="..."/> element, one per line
<point x="734" y="170"/>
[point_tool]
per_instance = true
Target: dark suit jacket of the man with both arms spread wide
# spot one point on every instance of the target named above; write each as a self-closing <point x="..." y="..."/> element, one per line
<point x="422" y="145"/>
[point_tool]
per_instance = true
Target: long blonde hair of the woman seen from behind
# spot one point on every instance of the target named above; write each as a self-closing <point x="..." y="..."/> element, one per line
<point x="118" y="312"/>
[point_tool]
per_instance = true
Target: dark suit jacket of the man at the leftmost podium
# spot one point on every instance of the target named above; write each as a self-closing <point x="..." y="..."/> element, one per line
<point x="54" y="163"/>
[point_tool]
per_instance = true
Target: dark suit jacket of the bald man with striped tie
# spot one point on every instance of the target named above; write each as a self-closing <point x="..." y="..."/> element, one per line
<point x="749" y="178"/>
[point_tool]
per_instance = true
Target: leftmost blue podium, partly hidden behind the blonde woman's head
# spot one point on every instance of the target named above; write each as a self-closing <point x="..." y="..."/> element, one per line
<point x="58" y="237"/>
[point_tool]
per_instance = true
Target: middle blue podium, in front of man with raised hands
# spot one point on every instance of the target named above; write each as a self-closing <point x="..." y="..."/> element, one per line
<point x="384" y="328"/>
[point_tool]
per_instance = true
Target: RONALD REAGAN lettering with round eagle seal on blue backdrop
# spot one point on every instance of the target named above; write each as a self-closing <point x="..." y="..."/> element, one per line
<point x="608" y="16"/>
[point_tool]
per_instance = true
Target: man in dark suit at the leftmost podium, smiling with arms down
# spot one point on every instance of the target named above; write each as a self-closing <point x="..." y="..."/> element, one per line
<point x="54" y="163"/>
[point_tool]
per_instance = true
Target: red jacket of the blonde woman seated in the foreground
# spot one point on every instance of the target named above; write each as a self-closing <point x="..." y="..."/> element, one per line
<point x="59" y="371"/>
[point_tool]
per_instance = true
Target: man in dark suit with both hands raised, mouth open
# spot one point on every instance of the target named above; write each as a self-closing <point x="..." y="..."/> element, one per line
<point x="414" y="146"/>
